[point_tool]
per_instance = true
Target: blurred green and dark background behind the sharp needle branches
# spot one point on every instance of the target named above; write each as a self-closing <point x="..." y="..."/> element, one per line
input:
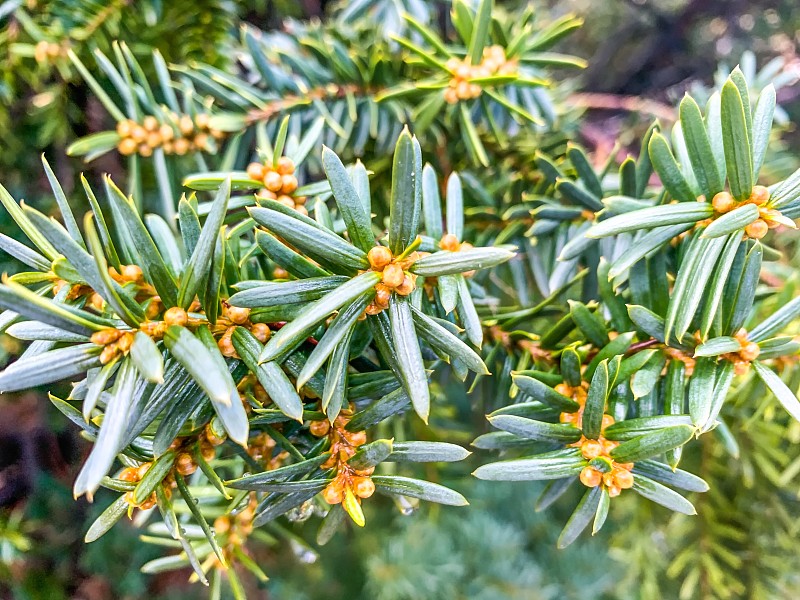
<point x="643" y="55"/>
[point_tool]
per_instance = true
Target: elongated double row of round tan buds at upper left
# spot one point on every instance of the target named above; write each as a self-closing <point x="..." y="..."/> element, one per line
<point x="179" y="134"/>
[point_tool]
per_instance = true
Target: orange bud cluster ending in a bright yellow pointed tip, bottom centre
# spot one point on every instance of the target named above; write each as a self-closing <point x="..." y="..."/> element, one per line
<point x="350" y="485"/>
